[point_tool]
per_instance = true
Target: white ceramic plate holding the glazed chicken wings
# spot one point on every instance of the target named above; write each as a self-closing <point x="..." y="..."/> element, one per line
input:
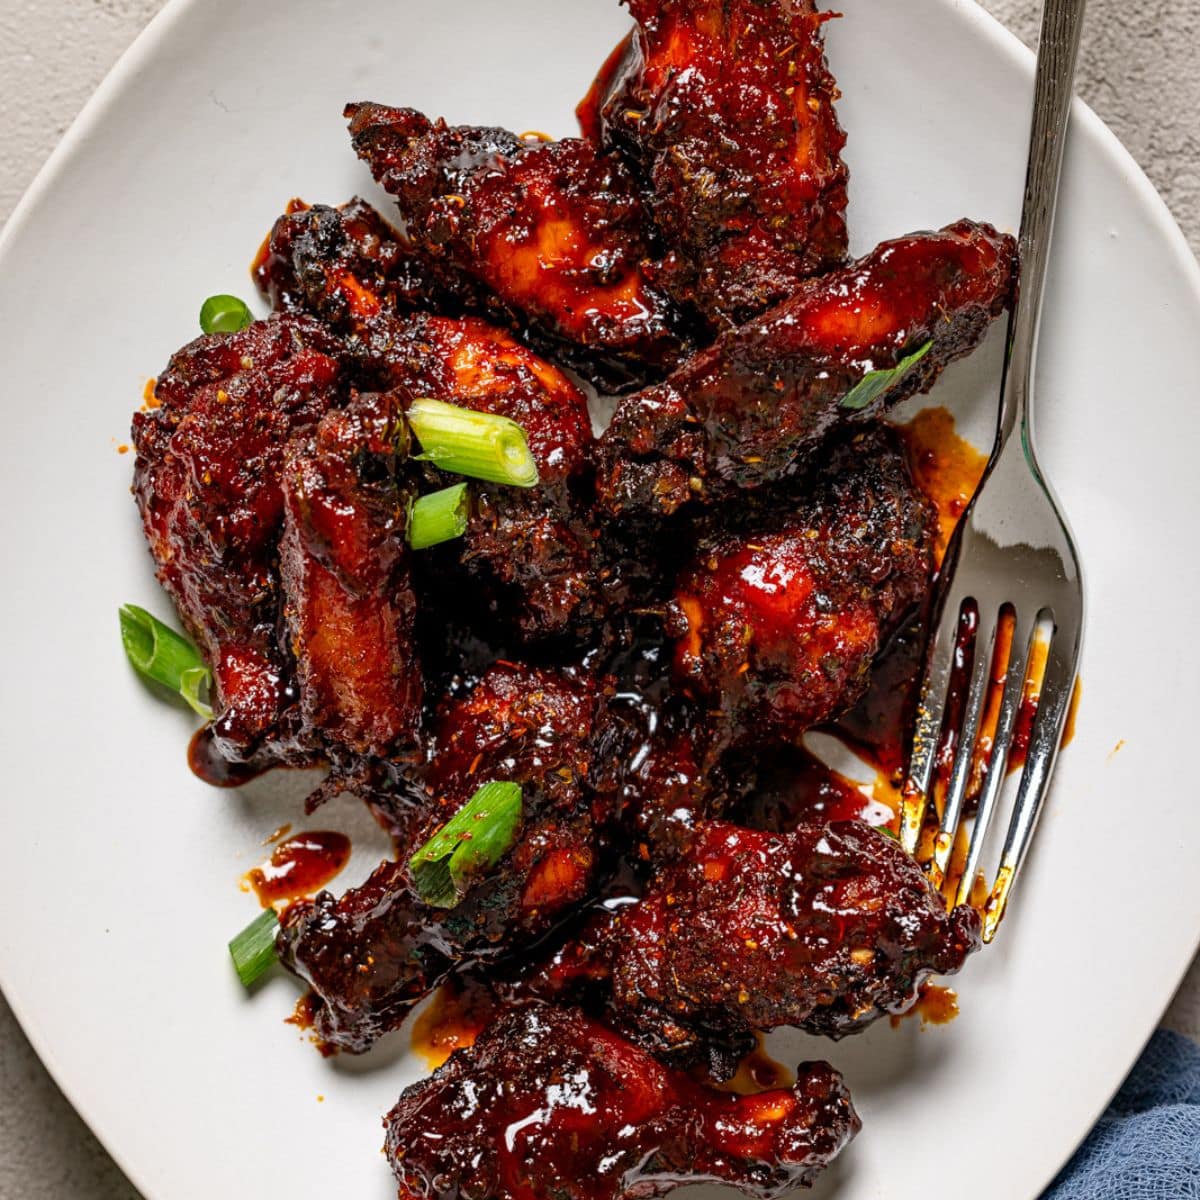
<point x="122" y="869"/>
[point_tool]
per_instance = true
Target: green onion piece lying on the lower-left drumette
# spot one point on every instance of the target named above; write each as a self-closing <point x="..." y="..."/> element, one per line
<point x="469" y="845"/>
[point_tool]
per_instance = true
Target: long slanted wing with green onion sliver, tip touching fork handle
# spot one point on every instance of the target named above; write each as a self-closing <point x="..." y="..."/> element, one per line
<point x="746" y="410"/>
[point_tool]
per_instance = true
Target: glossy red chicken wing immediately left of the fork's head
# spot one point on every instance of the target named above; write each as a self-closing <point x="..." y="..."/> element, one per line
<point x="783" y="619"/>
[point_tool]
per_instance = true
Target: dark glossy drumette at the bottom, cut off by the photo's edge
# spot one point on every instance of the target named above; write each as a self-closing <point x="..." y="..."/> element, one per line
<point x="551" y="1106"/>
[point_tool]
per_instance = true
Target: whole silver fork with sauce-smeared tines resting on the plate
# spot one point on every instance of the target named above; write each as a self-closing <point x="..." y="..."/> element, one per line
<point x="1012" y="554"/>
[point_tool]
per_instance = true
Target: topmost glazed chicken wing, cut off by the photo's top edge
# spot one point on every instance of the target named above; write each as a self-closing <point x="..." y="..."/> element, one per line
<point x="725" y="111"/>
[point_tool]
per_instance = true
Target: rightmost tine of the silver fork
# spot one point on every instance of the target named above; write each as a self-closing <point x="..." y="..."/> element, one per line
<point x="1054" y="701"/>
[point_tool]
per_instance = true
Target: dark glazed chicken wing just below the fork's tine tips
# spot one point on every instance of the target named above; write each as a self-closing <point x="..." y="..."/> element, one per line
<point x="825" y="928"/>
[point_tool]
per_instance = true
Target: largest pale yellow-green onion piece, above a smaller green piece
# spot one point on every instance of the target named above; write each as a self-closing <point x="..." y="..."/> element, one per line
<point x="482" y="446"/>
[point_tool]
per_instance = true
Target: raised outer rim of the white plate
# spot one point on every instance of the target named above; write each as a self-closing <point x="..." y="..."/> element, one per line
<point x="147" y="44"/>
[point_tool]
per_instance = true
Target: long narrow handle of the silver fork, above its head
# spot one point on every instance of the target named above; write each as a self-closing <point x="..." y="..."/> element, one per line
<point x="1063" y="21"/>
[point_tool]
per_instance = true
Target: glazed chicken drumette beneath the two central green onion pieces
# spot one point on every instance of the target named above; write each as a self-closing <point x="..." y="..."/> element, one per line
<point x="533" y="559"/>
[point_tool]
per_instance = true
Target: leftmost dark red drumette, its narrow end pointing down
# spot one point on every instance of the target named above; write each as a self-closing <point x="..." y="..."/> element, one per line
<point x="208" y="485"/>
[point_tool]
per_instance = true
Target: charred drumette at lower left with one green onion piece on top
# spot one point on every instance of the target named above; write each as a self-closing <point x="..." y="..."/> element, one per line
<point x="375" y="952"/>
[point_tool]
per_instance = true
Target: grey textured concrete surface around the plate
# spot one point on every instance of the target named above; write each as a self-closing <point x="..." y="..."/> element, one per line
<point x="1139" y="71"/>
